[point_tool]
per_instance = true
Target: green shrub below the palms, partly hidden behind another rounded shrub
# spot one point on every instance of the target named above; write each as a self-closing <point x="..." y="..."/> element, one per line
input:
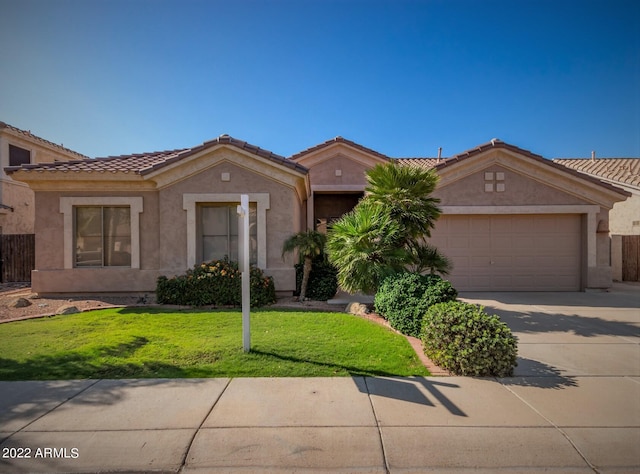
<point x="404" y="298"/>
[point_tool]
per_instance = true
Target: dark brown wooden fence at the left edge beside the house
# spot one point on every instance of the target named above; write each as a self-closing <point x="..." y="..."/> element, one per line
<point x="17" y="257"/>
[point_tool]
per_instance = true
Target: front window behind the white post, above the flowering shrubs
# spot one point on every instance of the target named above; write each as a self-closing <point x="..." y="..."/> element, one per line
<point x="219" y="232"/>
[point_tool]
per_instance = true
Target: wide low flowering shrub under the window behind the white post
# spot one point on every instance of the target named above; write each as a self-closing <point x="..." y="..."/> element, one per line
<point x="215" y="283"/>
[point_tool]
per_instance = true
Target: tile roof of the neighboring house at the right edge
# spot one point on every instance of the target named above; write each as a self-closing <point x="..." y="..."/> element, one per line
<point x="624" y="171"/>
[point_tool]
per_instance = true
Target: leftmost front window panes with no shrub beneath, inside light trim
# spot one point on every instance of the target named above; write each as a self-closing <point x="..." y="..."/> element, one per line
<point x="102" y="236"/>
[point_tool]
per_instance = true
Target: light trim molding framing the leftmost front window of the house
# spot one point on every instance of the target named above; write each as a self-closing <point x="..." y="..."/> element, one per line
<point x="66" y="208"/>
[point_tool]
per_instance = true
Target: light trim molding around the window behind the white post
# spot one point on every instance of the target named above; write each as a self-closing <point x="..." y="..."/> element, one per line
<point x="190" y="202"/>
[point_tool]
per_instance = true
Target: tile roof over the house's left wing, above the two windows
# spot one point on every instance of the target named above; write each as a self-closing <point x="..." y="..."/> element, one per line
<point x="145" y="163"/>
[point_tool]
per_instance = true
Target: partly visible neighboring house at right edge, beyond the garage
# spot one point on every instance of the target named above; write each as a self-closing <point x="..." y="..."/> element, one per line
<point x="624" y="218"/>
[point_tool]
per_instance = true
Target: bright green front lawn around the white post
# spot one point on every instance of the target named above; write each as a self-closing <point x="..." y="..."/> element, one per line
<point x="138" y="343"/>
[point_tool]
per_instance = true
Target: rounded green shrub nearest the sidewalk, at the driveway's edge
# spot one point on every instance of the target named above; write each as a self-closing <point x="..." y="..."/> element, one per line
<point x="463" y="339"/>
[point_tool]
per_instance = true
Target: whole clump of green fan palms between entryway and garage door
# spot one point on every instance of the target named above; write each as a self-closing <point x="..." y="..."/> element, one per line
<point x="385" y="232"/>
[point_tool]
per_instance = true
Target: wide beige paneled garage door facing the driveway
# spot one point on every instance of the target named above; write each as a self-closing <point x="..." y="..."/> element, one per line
<point x="511" y="253"/>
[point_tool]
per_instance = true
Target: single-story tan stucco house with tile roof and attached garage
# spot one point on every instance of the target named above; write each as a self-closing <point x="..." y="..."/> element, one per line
<point x="511" y="219"/>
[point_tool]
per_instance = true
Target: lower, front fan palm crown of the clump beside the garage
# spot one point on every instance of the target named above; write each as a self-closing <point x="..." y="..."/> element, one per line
<point x="364" y="247"/>
